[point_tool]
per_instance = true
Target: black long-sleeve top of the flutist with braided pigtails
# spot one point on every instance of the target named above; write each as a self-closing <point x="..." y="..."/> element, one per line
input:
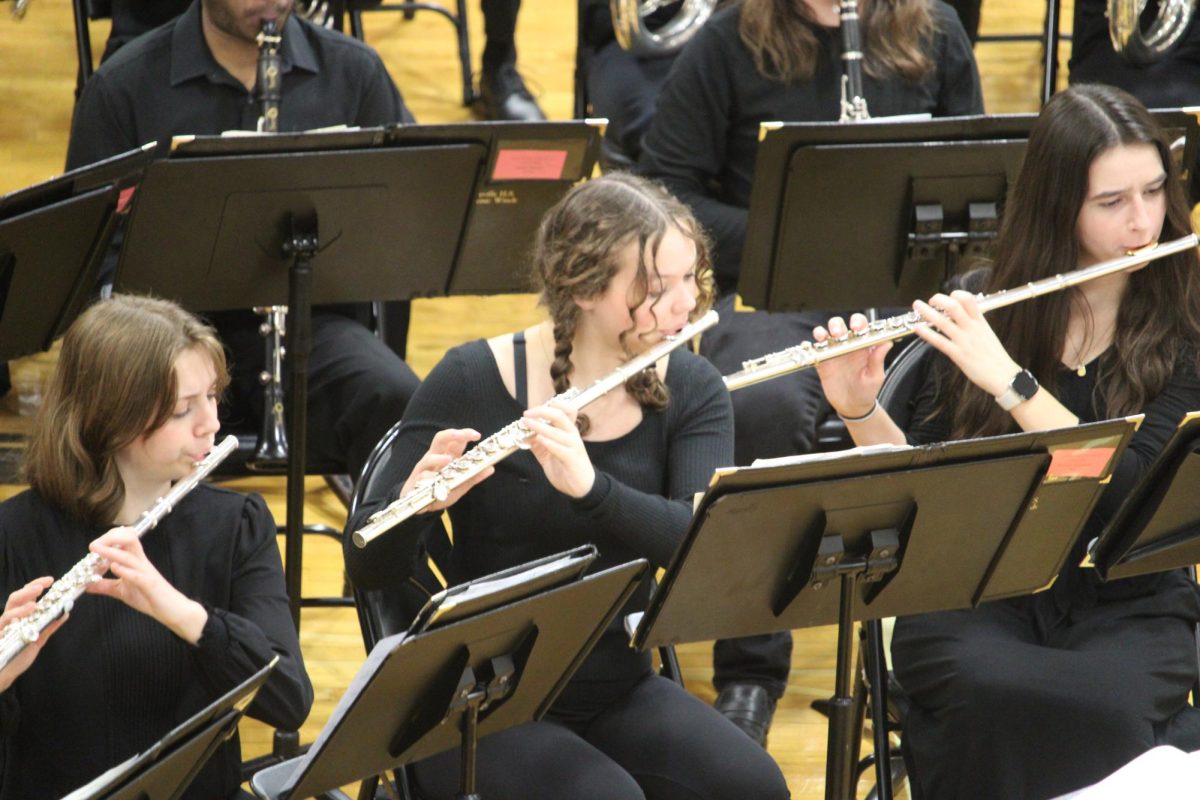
<point x="640" y="506"/>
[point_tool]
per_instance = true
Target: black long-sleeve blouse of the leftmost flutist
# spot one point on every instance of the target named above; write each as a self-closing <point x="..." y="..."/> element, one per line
<point x="112" y="682"/>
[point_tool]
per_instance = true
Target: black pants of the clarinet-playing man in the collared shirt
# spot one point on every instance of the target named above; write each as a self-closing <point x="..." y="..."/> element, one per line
<point x="357" y="387"/>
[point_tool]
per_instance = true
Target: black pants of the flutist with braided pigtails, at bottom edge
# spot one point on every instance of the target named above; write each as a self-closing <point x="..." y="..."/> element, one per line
<point x="658" y="742"/>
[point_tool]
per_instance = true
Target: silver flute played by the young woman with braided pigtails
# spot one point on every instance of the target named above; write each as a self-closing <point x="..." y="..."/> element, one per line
<point x="514" y="437"/>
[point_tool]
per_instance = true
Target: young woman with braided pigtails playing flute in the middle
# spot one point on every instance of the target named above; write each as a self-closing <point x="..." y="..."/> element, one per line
<point x="620" y="264"/>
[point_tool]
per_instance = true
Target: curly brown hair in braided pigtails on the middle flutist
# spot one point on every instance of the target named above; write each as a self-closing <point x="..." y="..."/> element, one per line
<point x="578" y="252"/>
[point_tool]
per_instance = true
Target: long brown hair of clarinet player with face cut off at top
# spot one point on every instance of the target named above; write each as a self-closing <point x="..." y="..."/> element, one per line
<point x="783" y="40"/>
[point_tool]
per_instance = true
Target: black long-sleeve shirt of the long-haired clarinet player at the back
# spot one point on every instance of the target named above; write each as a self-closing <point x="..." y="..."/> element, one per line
<point x="705" y="135"/>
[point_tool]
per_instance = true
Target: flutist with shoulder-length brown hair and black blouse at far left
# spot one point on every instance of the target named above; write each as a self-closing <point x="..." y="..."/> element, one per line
<point x="187" y="613"/>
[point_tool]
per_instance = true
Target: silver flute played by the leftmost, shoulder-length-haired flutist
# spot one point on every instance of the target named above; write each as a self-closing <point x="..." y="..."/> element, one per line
<point x="63" y="593"/>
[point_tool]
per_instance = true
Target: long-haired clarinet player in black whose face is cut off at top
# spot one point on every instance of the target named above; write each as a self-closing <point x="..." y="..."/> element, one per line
<point x="757" y="62"/>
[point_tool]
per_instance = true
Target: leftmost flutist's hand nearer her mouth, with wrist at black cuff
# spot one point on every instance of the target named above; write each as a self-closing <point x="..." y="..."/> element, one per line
<point x="137" y="584"/>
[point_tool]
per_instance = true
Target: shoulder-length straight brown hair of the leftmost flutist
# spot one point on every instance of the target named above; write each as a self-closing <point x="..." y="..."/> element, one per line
<point x="116" y="381"/>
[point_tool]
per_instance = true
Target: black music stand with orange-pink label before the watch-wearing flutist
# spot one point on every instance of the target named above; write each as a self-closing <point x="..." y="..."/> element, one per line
<point x="890" y="528"/>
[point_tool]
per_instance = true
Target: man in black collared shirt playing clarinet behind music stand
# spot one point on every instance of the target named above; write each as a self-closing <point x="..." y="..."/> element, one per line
<point x="197" y="76"/>
